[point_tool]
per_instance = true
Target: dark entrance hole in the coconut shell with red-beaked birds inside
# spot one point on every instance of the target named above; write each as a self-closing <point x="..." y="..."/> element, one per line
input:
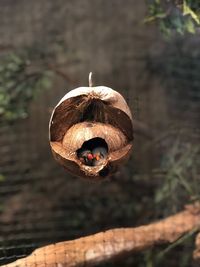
<point x="93" y="152"/>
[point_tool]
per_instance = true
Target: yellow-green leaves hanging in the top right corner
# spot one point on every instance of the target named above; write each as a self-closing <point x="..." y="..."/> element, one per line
<point x="173" y="16"/>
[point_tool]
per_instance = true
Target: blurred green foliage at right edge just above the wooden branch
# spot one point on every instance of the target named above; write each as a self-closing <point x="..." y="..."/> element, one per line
<point x="180" y="166"/>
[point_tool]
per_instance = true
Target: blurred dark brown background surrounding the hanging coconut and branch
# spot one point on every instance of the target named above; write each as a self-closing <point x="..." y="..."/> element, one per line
<point x="146" y="50"/>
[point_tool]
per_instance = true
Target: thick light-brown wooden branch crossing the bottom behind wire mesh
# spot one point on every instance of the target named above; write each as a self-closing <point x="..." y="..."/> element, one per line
<point x="104" y="246"/>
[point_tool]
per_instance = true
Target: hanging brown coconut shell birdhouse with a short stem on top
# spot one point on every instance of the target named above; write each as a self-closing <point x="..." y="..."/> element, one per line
<point x="91" y="131"/>
